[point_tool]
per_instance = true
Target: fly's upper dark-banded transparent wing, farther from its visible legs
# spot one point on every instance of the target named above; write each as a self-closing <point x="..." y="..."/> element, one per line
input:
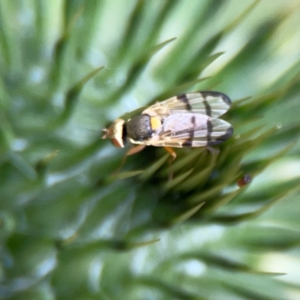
<point x="212" y="104"/>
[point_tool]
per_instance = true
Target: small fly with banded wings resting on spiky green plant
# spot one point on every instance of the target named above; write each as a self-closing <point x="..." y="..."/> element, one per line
<point x="187" y="120"/>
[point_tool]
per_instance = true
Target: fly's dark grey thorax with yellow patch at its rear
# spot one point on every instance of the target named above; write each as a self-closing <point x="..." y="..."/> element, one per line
<point x="142" y="127"/>
